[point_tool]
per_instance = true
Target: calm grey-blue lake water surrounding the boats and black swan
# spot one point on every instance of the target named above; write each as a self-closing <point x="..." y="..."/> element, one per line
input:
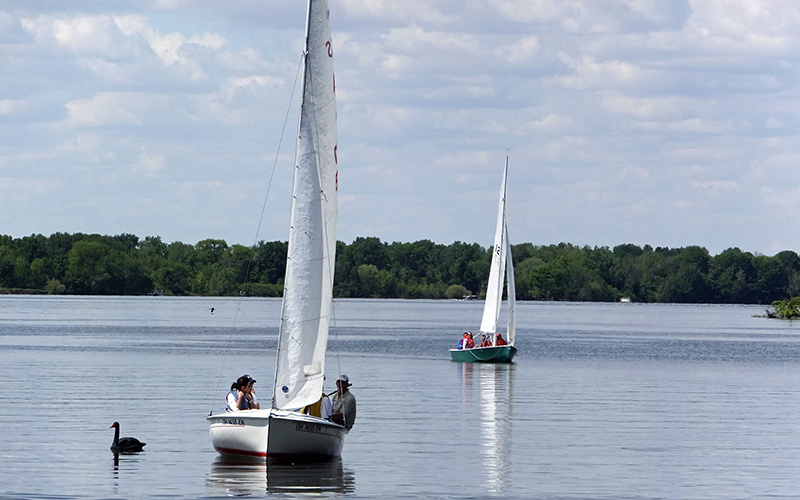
<point x="604" y="401"/>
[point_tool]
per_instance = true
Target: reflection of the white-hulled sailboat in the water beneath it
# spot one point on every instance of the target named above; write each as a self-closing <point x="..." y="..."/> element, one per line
<point x="240" y="476"/>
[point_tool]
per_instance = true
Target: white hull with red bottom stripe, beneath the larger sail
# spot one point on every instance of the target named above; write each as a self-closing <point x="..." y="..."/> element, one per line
<point x="275" y="434"/>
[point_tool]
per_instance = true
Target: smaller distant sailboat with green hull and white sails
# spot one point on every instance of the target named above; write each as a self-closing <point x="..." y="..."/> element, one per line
<point x="502" y="270"/>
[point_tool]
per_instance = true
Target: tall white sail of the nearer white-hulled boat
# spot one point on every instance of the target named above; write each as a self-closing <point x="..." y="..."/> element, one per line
<point x="308" y="285"/>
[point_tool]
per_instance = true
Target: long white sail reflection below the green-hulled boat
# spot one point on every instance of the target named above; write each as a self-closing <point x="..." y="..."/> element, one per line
<point x="495" y="393"/>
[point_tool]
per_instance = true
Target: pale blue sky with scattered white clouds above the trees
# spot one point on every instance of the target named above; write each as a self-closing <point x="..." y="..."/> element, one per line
<point x="661" y="122"/>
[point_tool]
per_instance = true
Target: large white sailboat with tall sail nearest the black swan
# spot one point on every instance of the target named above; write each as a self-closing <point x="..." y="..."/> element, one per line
<point x="283" y="431"/>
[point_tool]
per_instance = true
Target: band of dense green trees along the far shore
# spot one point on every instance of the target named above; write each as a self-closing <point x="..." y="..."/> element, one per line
<point x="124" y="264"/>
